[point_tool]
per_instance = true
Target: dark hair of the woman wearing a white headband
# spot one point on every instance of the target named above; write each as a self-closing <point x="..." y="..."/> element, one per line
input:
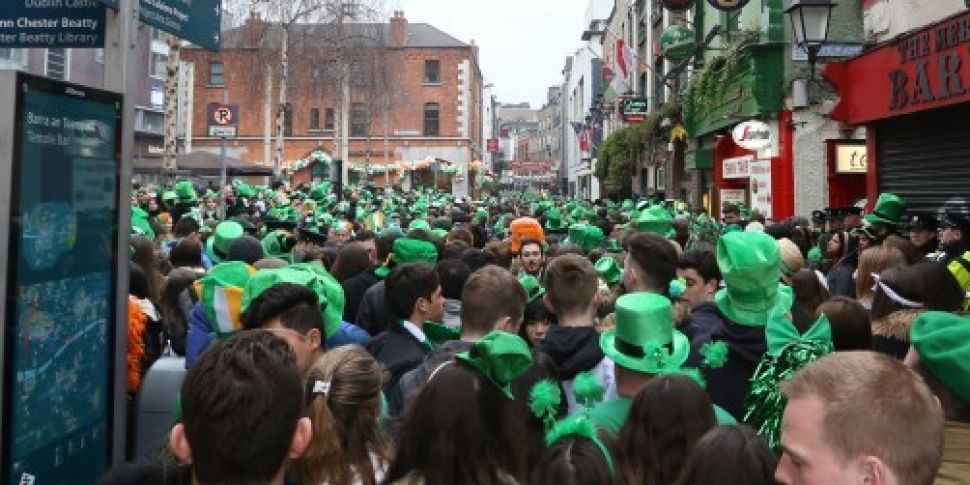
<point x="929" y="283"/>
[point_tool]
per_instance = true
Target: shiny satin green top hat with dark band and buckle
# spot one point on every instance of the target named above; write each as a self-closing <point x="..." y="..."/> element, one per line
<point x="644" y="339"/>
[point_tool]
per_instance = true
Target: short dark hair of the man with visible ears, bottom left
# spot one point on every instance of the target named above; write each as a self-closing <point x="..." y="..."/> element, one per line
<point x="241" y="402"/>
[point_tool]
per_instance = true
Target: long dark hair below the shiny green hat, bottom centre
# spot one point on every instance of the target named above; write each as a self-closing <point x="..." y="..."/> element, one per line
<point x="460" y="429"/>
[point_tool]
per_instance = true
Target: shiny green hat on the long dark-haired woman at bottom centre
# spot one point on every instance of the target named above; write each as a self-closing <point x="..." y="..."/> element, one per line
<point x="501" y="357"/>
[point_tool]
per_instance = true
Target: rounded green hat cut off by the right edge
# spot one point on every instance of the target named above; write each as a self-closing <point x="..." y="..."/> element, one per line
<point x="942" y="341"/>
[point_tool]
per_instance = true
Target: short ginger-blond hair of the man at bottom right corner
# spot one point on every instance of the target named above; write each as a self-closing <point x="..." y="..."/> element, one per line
<point x="874" y="405"/>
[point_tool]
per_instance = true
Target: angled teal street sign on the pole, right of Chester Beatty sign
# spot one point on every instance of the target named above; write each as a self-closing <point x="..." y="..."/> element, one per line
<point x="197" y="21"/>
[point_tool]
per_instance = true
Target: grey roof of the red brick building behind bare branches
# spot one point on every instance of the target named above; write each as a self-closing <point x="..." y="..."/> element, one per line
<point x="420" y="35"/>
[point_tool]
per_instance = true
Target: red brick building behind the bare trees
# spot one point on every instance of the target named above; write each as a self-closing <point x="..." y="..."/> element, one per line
<point x="415" y="94"/>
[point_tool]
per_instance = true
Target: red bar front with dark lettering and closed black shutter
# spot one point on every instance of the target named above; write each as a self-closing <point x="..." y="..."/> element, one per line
<point x="913" y="96"/>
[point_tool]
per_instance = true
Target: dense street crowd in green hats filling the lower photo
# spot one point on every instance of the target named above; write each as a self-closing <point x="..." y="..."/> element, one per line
<point x="384" y="337"/>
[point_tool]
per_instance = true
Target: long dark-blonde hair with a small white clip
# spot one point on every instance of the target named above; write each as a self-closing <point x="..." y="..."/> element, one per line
<point x="344" y="403"/>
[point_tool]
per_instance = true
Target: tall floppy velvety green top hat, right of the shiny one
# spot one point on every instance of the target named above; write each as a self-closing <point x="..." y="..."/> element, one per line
<point x="751" y="267"/>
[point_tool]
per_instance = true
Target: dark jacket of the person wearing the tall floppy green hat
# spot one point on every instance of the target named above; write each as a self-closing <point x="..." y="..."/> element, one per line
<point x="728" y="385"/>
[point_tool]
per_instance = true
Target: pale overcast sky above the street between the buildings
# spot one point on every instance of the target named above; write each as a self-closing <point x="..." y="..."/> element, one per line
<point x="523" y="44"/>
